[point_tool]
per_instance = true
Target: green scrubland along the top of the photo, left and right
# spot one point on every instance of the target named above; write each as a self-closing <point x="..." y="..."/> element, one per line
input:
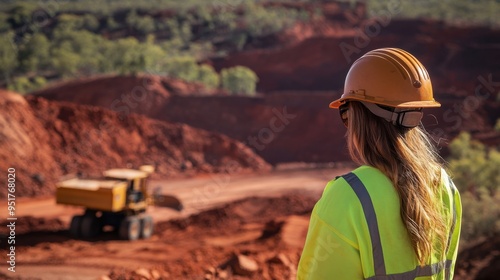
<point x="49" y="40"/>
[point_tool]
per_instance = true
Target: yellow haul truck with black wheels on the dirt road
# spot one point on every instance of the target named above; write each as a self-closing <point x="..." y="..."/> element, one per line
<point x="120" y="200"/>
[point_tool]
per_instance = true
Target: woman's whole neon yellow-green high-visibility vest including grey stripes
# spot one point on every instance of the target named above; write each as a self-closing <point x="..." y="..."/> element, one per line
<point x="356" y="232"/>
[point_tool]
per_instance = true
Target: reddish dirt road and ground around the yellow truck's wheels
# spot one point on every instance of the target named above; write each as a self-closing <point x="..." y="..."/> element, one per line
<point x="183" y="247"/>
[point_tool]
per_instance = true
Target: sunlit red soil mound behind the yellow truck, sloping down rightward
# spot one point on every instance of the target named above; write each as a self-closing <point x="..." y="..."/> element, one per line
<point x="44" y="140"/>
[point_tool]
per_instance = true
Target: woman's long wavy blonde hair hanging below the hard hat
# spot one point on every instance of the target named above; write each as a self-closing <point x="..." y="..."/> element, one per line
<point x="410" y="161"/>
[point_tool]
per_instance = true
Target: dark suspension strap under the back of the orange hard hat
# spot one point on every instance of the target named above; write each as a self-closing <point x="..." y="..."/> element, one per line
<point x="405" y="117"/>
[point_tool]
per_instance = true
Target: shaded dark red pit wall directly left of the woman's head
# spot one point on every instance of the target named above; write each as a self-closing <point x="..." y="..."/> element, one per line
<point x="284" y="127"/>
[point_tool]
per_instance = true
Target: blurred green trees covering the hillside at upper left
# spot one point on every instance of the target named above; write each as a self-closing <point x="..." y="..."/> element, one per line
<point x="127" y="41"/>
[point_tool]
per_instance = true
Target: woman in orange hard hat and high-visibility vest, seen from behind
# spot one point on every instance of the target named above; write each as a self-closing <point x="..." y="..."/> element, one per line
<point x="398" y="215"/>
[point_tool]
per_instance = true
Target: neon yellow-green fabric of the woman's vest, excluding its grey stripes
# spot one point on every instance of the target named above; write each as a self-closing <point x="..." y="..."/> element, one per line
<point x="338" y="244"/>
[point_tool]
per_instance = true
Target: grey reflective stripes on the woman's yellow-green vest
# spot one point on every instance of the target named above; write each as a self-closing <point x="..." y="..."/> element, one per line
<point x="377" y="250"/>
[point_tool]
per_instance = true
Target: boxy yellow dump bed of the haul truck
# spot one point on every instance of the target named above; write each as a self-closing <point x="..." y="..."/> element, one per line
<point x="104" y="195"/>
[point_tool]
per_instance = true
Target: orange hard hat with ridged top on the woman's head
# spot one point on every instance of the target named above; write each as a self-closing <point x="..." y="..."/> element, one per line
<point x="390" y="77"/>
